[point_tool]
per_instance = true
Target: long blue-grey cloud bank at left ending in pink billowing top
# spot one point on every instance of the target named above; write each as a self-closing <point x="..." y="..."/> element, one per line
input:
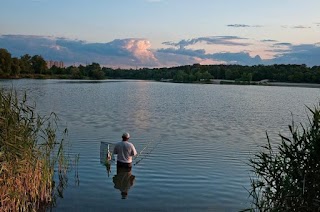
<point x="120" y="52"/>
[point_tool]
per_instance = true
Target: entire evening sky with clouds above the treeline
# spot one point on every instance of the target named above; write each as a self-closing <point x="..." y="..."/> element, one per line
<point x="163" y="33"/>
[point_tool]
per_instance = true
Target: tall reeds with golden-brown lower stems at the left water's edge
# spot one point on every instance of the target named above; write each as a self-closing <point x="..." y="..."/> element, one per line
<point x="29" y="154"/>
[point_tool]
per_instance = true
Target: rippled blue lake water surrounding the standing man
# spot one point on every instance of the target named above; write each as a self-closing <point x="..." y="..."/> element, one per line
<point x="205" y="135"/>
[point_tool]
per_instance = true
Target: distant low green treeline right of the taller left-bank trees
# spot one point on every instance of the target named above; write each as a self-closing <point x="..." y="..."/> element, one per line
<point x="196" y="72"/>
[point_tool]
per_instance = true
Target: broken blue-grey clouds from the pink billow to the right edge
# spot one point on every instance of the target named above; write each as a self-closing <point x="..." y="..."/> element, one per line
<point x="283" y="52"/>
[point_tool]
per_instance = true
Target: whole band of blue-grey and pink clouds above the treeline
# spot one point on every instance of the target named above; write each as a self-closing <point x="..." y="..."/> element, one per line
<point x="136" y="52"/>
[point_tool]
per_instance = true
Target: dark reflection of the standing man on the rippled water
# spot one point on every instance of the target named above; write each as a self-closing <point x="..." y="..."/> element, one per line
<point x="123" y="181"/>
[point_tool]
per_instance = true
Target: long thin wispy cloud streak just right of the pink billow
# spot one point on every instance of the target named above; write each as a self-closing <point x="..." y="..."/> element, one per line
<point x="218" y="40"/>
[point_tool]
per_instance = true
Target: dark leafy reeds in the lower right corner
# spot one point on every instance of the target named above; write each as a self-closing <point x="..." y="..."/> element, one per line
<point x="288" y="178"/>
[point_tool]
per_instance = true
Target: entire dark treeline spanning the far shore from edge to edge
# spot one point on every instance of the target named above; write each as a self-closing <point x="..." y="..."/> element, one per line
<point x="36" y="66"/>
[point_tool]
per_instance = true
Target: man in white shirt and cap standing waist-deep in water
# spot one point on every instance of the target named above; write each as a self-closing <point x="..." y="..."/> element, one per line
<point x="125" y="151"/>
